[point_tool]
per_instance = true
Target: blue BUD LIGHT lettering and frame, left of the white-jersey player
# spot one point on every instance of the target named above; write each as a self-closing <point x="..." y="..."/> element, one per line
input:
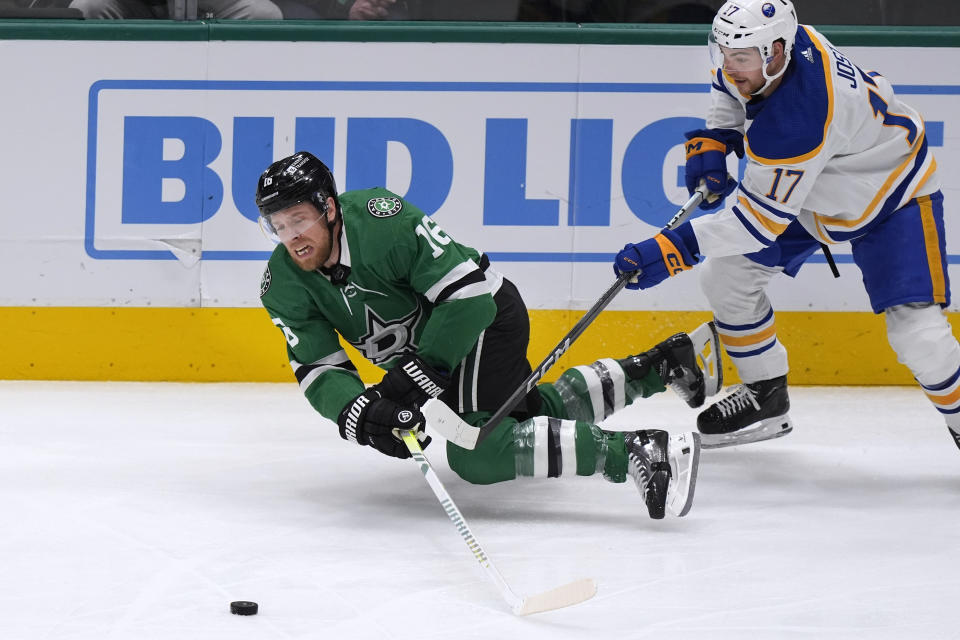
<point x="173" y="165"/>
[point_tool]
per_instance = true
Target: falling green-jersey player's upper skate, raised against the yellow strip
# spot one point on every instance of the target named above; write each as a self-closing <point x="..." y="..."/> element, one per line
<point x="687" y="363"/>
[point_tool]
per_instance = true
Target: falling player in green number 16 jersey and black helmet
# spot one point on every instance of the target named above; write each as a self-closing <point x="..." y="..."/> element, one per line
<point x="373" y="268"/>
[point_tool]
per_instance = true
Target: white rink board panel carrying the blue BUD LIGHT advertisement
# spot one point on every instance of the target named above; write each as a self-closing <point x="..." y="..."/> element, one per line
<point x="130" y="166"/>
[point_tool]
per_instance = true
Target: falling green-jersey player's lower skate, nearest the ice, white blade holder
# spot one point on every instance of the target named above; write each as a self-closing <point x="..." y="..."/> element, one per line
<point x="664" y="469"/>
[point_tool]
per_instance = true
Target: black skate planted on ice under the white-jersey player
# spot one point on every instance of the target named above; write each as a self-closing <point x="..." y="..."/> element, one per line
<point x="751" y="413"/>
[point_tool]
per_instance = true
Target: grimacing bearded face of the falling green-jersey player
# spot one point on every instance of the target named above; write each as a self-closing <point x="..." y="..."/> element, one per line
<point x="305" y="233"/>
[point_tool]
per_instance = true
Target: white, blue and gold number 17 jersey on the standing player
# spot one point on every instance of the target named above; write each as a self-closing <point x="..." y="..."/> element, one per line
<point x="832" y="146"/>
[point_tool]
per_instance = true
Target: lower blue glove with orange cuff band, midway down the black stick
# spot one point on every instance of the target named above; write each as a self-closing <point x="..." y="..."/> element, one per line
<point x="656" y="259"/>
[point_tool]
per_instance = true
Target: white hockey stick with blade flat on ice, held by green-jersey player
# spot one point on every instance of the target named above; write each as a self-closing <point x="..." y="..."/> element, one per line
<point x="563" y="596"/>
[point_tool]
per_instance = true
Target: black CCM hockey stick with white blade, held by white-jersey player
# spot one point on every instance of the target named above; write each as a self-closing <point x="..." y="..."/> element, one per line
<point x="448" y="424"/>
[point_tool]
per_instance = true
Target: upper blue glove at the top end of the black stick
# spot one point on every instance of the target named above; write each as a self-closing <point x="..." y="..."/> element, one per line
<point x="707" y="151"/>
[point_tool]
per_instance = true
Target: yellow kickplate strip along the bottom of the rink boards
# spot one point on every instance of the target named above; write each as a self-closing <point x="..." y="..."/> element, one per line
<point x="241" y="345"/>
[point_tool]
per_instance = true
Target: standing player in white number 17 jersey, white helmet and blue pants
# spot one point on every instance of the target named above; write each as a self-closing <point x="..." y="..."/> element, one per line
<point x="833" y="155"/>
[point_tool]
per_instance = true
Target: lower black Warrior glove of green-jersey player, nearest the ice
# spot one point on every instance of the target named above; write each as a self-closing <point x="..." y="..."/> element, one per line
<point x="372" y="420"/>
